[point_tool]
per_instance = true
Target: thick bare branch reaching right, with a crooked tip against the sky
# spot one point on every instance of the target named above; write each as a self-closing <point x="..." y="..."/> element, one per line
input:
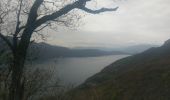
<point x="80" y="4"/>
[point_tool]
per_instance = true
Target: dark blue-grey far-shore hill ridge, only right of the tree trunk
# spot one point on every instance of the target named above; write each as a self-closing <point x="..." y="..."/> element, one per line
<point x="47" y="51"/>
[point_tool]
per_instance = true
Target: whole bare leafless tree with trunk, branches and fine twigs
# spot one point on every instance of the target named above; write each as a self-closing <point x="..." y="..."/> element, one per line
<point x="25" y="17"/>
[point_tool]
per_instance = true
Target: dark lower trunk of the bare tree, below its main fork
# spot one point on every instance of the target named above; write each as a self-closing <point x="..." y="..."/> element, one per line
<point x="17" y="89"/>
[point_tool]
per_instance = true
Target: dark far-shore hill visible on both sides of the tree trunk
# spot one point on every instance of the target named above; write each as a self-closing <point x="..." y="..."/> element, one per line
<point x="44" y="51"/>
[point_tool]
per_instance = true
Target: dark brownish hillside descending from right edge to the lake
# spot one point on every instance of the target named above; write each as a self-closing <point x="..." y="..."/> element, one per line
<point x="144" y="76"/>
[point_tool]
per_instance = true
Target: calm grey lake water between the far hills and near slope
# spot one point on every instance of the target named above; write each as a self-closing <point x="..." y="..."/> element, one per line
<point x="75" y="71"/>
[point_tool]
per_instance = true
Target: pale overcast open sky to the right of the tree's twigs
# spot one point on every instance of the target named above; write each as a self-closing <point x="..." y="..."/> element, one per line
<point x="135" y="22"/>
